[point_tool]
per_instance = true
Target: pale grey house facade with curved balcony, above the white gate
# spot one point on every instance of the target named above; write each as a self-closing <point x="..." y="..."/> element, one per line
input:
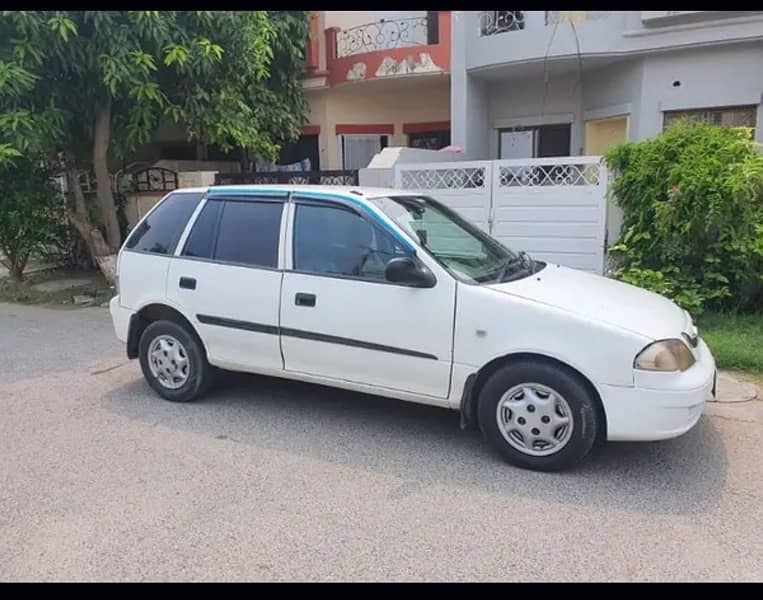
<point x="533" y="84"/>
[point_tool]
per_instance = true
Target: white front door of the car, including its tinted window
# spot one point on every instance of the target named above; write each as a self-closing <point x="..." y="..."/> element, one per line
<point x="342" y="320"/>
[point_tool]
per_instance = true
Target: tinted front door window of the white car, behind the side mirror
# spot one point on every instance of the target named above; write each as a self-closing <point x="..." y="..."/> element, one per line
<point x="340" y="242"/>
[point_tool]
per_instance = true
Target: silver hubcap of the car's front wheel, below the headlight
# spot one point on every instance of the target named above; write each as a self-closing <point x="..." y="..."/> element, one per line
<point x="535" y="419"/>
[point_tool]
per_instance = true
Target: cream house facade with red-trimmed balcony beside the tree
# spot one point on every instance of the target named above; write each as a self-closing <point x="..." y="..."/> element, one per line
<point x="373" y="80"/>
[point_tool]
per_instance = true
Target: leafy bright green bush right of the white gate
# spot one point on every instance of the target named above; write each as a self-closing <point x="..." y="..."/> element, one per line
<point x="692" y="201"/>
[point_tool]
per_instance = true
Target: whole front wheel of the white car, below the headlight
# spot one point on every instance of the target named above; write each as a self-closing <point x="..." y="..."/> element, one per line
<point x="538" y="415"/>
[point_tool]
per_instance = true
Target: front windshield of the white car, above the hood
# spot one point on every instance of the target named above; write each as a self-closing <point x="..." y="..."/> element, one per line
<point x="463" y="249"/>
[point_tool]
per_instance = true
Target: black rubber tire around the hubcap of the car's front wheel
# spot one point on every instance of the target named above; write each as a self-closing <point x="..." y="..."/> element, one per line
<point x="582" y="403"/>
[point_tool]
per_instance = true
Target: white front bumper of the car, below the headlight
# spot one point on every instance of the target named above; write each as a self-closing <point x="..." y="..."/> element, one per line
<point x="659" y="406"/>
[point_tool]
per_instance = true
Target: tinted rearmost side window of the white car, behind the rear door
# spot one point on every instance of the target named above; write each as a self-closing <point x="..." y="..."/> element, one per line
<point x="161" y="231"/>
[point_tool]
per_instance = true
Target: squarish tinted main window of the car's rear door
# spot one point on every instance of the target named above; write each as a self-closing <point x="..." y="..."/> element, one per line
<point x="249" y="233"/>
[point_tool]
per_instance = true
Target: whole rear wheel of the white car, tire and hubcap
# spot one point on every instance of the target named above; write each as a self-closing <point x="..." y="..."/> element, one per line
<point x="173" y="362"/>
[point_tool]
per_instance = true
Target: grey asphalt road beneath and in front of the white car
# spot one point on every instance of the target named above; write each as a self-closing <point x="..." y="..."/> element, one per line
<point x="271" y="480"/>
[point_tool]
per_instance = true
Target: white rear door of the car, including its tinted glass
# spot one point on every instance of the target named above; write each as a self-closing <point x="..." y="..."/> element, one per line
<point x="226" y="278"/>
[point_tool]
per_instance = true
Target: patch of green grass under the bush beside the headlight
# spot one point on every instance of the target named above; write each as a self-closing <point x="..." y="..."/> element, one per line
<point x="736" y="340"/>
